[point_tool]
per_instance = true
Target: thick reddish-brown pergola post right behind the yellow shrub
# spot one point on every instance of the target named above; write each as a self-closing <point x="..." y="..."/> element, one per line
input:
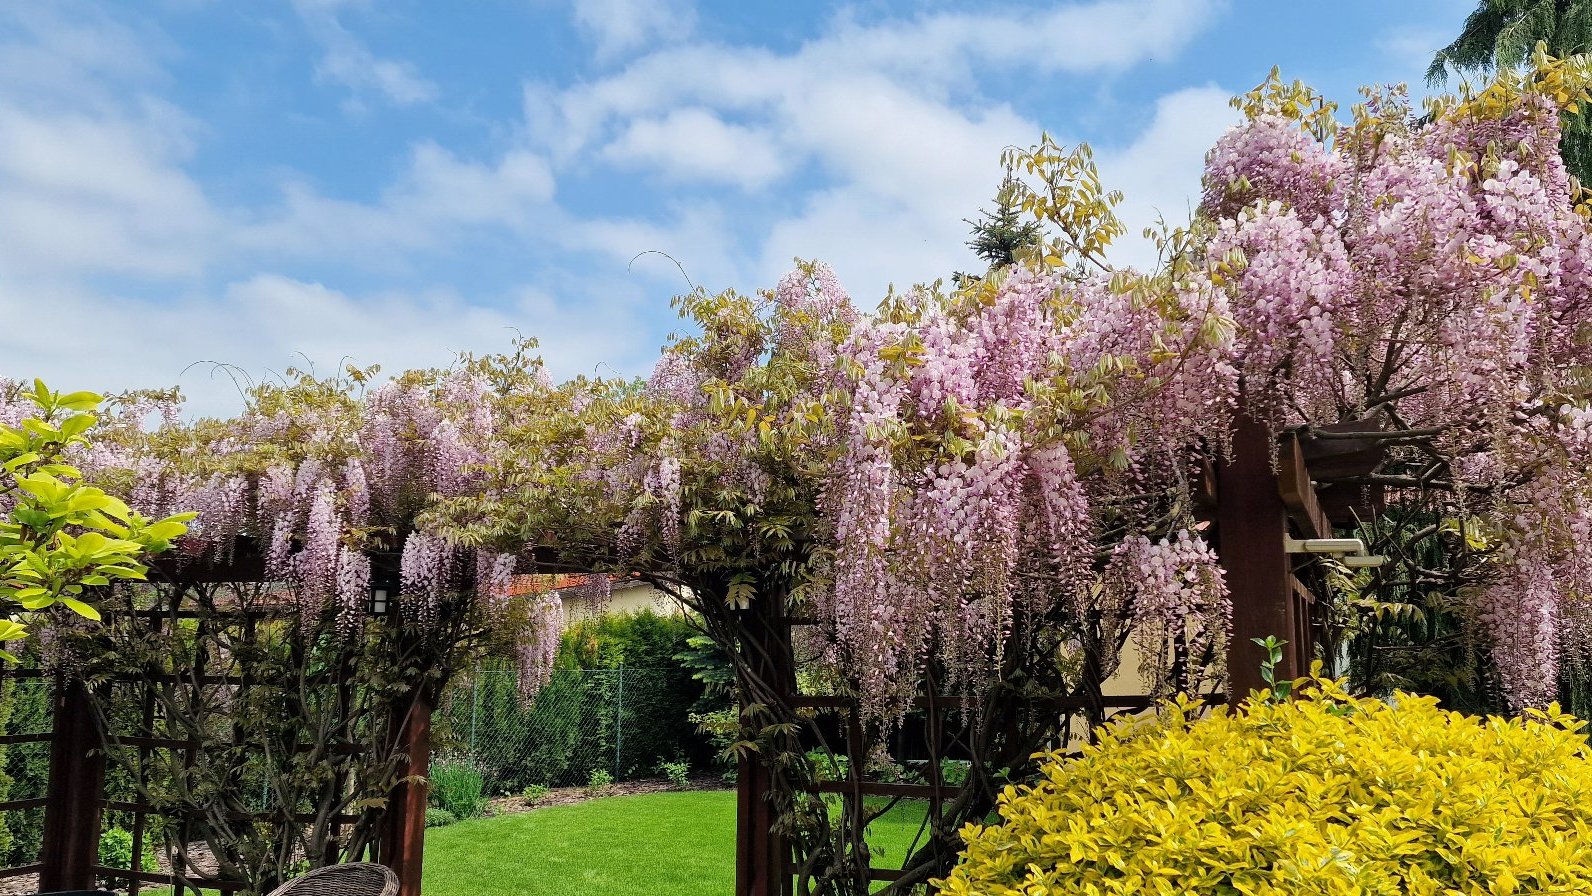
<point x="1252" y="523"/>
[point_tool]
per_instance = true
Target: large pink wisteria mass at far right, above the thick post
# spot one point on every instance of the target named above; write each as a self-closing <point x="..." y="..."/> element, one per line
<point x="1434" y="282"/>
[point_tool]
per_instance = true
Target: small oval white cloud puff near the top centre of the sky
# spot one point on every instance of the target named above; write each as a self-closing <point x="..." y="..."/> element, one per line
<point x="696" y="146"/>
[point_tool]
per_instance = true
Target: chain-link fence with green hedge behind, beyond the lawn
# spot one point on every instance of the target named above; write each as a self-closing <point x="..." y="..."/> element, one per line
<point x="585" y="725"/>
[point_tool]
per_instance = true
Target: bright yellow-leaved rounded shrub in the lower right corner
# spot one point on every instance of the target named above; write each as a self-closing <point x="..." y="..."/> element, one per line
<point x="1327" y="795"/>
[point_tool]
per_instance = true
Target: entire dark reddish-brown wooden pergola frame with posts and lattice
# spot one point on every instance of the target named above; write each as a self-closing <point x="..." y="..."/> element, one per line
<point x="1268" y="493"/>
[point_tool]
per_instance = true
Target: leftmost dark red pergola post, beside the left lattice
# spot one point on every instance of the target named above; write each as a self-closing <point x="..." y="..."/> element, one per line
<point x="77" y="776"/>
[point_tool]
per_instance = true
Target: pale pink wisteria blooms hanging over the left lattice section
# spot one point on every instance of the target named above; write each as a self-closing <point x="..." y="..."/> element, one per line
<point x="321" y="478"/>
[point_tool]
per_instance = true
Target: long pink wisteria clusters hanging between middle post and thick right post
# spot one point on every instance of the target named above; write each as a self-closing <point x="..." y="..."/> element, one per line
<point x="983" y="443"/>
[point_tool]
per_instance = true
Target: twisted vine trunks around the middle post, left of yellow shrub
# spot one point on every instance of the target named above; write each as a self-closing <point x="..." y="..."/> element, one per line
<point x="794" y="841"/>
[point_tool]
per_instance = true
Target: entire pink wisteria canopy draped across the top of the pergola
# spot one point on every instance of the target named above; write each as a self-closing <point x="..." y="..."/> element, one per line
<point x="967" y="466"/>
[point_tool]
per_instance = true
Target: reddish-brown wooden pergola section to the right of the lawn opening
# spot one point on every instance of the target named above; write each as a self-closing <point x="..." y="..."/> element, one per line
<point x="1268" y="493"/>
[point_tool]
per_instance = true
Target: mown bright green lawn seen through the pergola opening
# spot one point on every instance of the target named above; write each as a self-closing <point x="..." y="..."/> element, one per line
<point x="665" y="844"/>
